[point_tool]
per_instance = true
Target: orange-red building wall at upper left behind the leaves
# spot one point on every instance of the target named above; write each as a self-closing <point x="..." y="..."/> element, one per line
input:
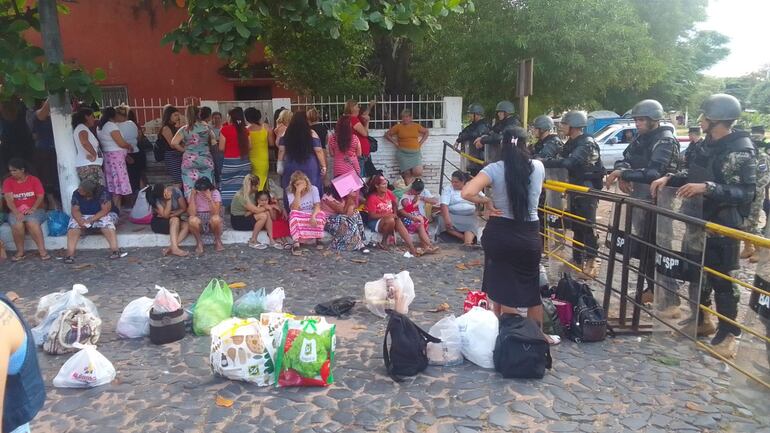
<point x="110" y="35"/>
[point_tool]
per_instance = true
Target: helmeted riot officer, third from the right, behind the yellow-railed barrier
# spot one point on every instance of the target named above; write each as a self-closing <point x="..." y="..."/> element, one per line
<point x="581" y="157"/>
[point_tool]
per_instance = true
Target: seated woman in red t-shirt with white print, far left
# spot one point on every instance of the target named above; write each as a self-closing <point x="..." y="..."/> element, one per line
<point x="24" y="196"/>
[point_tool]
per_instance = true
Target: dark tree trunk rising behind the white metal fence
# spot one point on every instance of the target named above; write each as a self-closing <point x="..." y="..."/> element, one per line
<point x="393" y="55"/>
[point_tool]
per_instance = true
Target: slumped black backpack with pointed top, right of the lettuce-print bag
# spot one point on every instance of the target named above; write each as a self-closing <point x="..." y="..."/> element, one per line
<point x="408" y="344"/>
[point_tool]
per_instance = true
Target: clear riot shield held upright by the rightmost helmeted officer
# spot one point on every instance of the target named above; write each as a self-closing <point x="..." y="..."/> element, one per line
<point x="678" y="259"/>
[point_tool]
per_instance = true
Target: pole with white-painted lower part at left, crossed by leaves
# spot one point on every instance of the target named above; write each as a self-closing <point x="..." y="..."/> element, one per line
<point x="61" y="110"/>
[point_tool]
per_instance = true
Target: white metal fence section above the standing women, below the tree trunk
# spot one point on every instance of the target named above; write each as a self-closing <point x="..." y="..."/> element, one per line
<point x="384" y="110"/>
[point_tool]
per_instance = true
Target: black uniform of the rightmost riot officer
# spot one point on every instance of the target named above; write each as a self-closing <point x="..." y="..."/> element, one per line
<point x="730" y="165"/>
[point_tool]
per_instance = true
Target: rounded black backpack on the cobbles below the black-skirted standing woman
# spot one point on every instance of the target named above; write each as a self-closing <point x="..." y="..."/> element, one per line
<point x="521" y="350"/>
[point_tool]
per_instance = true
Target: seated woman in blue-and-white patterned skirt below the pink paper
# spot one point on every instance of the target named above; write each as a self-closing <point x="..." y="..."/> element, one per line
<point x="343" y="221"/>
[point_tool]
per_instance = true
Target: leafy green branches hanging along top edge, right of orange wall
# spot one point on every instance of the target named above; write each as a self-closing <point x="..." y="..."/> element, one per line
<point x="231" y="28"/>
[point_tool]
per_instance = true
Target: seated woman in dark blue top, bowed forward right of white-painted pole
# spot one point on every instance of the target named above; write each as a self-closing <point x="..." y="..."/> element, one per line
<point x="92" y="208"/>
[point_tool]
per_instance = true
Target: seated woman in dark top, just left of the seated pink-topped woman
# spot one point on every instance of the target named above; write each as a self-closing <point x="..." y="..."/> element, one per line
<point x="169" y="217"/>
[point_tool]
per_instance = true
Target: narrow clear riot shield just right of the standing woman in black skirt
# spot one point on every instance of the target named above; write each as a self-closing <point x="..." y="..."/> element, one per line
<point x="556" y="246"/>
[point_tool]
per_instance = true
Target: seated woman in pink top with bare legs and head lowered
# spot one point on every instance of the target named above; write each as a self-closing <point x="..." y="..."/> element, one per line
<point x="205" y="209"/>
